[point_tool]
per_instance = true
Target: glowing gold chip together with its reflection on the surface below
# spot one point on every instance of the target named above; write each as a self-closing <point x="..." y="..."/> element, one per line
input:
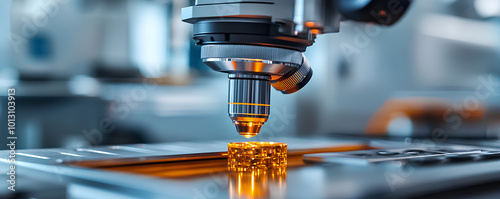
<point x="255" y="169"/>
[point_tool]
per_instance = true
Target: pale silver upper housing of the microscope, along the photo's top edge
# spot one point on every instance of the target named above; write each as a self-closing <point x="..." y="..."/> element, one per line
<point x="322" y="13"/>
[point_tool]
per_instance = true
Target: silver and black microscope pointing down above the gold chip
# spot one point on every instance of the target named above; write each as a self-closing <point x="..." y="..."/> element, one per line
<point x="260" y="43"/>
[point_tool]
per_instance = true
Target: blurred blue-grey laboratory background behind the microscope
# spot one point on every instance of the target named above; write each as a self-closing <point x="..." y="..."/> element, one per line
<point x="101" y="72"/>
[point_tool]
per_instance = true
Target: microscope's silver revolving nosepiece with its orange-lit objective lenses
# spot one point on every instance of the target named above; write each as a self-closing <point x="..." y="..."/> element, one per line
<point x="252" y="71"/>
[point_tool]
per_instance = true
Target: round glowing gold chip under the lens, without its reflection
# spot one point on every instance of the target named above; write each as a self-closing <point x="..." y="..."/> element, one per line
<point x="245" y="156"/>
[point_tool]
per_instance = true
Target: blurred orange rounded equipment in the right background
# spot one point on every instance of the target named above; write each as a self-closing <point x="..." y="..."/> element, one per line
<point x="420" y="117"/>
